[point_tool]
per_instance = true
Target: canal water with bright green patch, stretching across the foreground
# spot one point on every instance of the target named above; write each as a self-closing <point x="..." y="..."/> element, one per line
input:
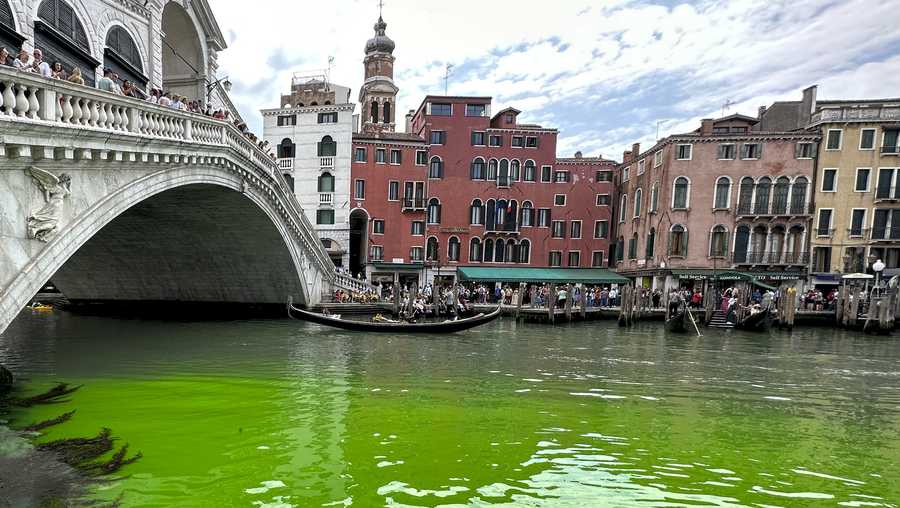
<point x="286" y="414"/>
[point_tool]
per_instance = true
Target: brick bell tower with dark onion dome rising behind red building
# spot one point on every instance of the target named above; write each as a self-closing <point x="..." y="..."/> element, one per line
<point x="378" y="94"/>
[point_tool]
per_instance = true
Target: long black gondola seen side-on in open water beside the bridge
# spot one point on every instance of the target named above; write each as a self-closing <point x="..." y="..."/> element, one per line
<point x="394" y="327"/>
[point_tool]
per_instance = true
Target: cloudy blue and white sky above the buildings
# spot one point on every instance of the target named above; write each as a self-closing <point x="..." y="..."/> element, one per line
<point x="606" y="73"/>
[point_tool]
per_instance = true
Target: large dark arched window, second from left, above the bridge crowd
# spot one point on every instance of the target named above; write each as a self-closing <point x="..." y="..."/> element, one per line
<point x="60" y="35"/>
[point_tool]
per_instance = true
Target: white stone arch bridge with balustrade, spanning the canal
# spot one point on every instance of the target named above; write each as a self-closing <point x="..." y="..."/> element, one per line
<point x="115" y="199"/>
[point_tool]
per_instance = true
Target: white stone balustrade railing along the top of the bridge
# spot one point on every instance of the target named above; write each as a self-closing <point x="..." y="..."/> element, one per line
<point x="30" y="98"/>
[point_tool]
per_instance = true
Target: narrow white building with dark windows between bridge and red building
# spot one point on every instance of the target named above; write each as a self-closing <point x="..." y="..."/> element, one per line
<point x="312" y="135"/>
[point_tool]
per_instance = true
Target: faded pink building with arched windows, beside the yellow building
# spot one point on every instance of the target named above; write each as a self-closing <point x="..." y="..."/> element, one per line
<point x="725" y="197"/>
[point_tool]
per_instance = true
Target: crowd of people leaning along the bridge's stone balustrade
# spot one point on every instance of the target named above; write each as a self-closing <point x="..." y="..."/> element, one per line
<point x="33" y="62"/>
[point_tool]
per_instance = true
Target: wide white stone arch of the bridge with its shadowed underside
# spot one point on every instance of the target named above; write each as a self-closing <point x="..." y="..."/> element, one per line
<point x="76" y="252"/>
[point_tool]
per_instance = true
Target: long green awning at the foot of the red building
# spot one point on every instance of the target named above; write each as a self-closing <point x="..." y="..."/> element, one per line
<point x="554" y="275"/>
